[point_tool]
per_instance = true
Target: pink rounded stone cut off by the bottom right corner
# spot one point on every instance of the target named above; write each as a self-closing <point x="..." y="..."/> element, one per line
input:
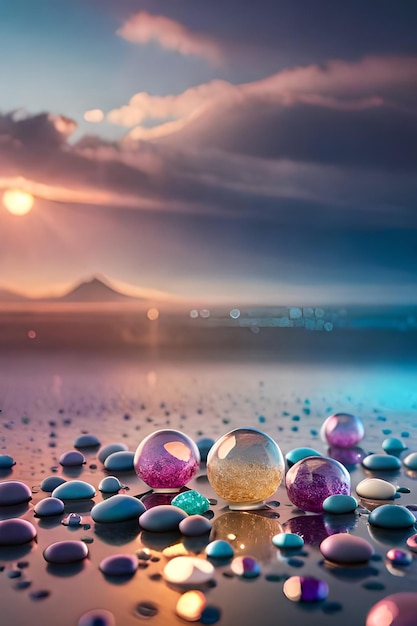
<point x="398" y="609"/>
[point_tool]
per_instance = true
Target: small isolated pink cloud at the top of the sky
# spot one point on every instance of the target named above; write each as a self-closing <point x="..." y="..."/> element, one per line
<point x="143" y="28"/>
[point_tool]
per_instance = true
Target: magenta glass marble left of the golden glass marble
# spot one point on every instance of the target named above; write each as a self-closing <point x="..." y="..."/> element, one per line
<point x="166" y="460"/>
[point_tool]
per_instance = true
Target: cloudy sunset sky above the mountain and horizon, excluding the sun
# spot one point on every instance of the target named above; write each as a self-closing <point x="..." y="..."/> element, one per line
<point x="241" y="151"/>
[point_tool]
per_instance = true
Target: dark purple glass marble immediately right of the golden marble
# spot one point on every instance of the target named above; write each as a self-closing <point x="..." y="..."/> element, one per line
<point x="310" y="481"/>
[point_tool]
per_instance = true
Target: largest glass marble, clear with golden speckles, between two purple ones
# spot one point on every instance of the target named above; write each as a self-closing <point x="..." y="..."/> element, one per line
<point x="244" y="467"/>
